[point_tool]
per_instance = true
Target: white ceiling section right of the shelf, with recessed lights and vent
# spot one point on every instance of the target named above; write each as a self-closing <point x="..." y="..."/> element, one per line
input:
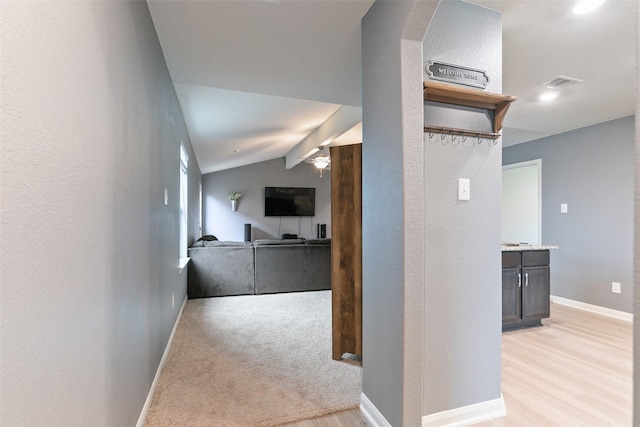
<point x="545" y="39"/>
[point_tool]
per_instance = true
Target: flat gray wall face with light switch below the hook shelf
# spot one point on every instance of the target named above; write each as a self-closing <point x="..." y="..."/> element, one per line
<point x="462" y="238"/>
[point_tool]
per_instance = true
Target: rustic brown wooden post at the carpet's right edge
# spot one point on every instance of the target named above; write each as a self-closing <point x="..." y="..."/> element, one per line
<point x="346" y="249"/>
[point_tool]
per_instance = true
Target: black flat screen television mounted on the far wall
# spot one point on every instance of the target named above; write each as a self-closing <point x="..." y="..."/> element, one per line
<point x="289" y="201"/>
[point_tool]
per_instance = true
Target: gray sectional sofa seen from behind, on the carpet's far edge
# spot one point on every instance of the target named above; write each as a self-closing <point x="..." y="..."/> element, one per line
<point x="221" y="268"/>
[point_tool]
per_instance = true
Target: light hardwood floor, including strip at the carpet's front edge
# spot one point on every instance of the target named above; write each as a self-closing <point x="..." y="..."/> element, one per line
<point x="576" y="370"/>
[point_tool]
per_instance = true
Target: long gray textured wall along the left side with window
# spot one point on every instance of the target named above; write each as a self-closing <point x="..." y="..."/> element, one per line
<point x="91" y="130"/>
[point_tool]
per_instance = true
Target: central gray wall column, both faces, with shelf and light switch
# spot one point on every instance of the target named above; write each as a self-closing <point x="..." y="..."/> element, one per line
<point x="431" y="292"/>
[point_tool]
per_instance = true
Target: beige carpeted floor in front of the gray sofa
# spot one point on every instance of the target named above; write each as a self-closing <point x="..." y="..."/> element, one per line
<point x="258" y="360"/>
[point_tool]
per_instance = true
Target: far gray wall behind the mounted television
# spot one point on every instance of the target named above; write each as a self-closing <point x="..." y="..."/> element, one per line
<point x="250" y="180"/>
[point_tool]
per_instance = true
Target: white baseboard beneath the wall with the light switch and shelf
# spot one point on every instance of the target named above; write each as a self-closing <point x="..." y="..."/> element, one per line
<point x="467" y="415"/>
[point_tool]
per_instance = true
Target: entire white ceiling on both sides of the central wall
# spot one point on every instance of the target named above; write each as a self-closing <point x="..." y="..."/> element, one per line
<point x="254" y="78"/>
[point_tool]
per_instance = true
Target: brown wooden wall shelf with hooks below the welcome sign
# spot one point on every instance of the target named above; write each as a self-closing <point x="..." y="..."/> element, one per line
<point x="448" y="94"/>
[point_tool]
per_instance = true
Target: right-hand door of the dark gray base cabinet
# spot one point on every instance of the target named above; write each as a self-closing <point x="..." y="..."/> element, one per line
<point x="535" y="292"/>
